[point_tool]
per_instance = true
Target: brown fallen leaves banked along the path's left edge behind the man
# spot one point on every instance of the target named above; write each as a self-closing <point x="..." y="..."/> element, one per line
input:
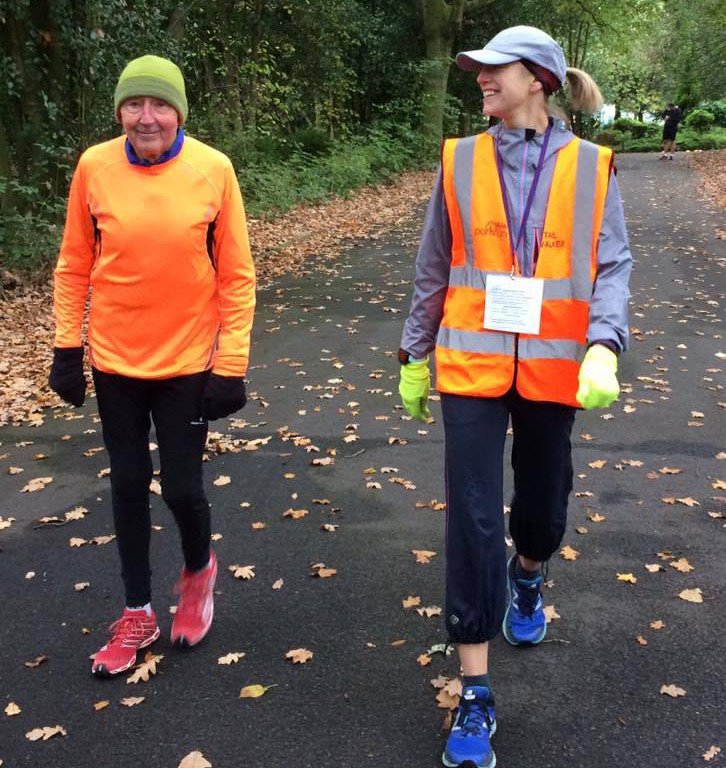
<point x="305" y="238"/>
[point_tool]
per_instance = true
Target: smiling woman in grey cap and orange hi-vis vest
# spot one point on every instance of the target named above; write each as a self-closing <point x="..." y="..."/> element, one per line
<point x="521" y="288"/>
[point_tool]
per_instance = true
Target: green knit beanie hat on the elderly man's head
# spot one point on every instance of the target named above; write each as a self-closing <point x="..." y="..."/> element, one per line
<point x="153" y="76"/>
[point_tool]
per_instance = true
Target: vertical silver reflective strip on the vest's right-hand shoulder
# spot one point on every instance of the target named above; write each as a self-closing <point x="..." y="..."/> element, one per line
<point x="587" y="160"/>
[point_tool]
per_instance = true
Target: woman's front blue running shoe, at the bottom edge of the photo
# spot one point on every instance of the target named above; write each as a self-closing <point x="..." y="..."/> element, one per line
<point x="468" y="743"/>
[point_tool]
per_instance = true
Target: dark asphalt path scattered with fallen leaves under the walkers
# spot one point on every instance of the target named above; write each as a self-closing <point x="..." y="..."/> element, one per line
<point x="324" y="370"/>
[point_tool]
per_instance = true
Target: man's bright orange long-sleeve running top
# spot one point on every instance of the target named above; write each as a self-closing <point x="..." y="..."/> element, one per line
<point x="165" y="253"/>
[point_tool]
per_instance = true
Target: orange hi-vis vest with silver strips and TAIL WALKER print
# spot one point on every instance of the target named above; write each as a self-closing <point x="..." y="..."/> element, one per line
<point x="483" y="363"/>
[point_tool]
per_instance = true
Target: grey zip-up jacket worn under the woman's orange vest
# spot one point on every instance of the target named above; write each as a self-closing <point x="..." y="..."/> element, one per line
<point x="609" y="303"/>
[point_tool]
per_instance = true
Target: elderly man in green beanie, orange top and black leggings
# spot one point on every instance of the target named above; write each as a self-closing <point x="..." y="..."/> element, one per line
<point x="156" y="230"/>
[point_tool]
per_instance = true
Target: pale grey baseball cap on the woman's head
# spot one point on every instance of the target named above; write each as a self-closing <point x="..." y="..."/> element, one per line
<point x="517" y="43"/>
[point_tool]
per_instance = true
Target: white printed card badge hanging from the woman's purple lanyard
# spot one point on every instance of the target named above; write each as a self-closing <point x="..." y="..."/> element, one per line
<point x="513" y="304"/>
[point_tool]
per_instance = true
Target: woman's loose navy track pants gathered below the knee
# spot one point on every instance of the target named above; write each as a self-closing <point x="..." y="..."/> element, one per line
<point x="475" y="430"/>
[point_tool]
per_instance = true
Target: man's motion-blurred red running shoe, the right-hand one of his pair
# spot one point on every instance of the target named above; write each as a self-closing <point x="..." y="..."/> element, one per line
<point x="195" y="611"/>
